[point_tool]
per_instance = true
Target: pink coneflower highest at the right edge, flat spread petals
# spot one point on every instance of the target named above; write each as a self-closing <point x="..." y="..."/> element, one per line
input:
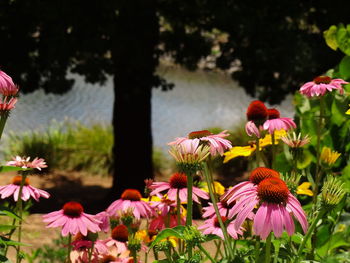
<point x="320" y="85"/>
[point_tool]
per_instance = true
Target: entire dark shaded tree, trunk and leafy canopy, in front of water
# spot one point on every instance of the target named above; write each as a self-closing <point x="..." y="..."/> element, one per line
<point x="270" y="47"/>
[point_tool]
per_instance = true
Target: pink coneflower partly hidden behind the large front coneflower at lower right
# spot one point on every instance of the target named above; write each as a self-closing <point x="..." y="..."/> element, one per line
<point x="255" y="177"/>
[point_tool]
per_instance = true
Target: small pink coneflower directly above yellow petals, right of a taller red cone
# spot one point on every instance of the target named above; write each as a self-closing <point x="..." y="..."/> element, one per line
<point x="275" y="122"/>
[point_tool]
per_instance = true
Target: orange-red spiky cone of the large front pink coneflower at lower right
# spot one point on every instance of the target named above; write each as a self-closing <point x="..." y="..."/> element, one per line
<point x="273" y="190"/>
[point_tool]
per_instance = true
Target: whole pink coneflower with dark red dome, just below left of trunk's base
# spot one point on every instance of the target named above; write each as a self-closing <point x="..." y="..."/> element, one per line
<point x="73" y="220"/>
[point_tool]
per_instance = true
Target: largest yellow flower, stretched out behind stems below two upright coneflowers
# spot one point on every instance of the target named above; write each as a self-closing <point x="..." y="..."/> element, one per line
<point x="248" y="150"/>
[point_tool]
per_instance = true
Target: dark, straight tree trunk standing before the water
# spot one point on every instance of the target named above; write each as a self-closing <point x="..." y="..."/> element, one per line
<point x="135" y="60"/>
